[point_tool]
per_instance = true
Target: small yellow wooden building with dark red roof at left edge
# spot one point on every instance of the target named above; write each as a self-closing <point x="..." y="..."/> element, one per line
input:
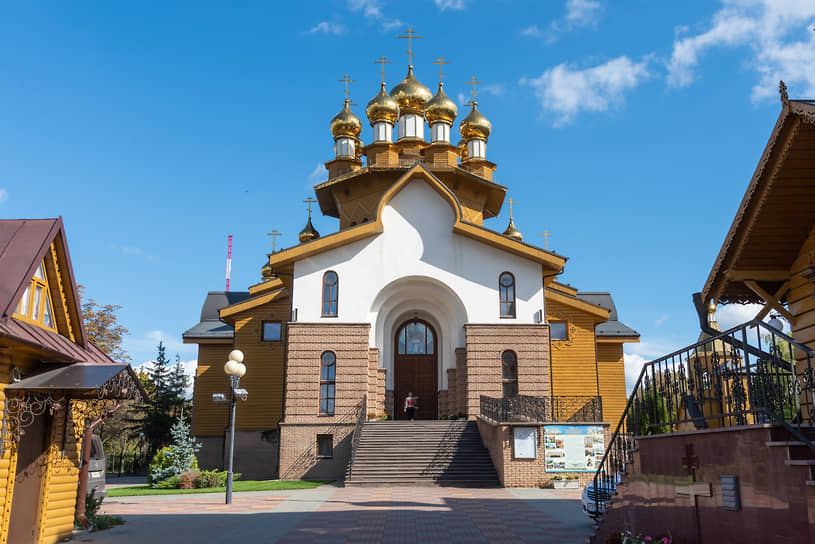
<point x="53" y="383"/>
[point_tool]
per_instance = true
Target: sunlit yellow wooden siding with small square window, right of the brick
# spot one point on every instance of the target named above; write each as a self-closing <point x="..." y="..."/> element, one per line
<point x="574" y="368"/>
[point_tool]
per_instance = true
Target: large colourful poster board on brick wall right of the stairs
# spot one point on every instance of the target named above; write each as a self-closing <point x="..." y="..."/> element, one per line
<point x="573" y="448"/>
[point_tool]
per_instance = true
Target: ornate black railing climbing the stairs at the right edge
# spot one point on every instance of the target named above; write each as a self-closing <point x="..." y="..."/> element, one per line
<point x="749" y="375"/>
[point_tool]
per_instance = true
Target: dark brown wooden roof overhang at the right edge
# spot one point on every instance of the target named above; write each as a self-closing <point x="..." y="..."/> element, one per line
<point x="776" y="214"/>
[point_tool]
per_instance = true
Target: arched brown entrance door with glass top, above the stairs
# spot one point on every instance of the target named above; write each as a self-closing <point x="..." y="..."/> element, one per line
<point x="415" y="368"/>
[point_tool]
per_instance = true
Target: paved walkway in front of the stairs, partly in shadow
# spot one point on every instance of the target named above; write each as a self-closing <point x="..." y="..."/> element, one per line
<point x="333" y="514"/>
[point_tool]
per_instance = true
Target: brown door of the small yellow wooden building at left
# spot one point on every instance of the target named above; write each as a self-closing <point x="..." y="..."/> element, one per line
<point x="31" y="466"/>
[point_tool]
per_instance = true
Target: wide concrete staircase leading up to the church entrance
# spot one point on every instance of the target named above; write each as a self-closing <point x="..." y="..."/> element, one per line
<point x="422" y="453"/>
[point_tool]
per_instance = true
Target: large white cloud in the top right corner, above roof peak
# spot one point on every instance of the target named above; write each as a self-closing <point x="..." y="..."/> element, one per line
<point x="778" y="34"/>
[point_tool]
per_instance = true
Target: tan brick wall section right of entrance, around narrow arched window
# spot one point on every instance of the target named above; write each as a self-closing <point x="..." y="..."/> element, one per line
<point x="485" y="344"/>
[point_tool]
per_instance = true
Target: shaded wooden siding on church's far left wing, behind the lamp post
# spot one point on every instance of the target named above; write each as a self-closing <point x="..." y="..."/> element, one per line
<point x="210" y="419"/>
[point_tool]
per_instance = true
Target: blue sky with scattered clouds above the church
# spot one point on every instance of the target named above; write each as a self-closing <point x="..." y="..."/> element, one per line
<point x="629" y="132"/>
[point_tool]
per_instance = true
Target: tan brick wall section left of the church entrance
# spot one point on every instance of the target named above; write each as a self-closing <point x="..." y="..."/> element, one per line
<point x="303" y="422"/>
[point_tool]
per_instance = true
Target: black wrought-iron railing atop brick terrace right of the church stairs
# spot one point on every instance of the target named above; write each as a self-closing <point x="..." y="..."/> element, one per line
<point x="525" y="408"/>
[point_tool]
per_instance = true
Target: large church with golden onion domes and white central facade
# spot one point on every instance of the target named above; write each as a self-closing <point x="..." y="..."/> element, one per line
<point x="412" y="294"/>
